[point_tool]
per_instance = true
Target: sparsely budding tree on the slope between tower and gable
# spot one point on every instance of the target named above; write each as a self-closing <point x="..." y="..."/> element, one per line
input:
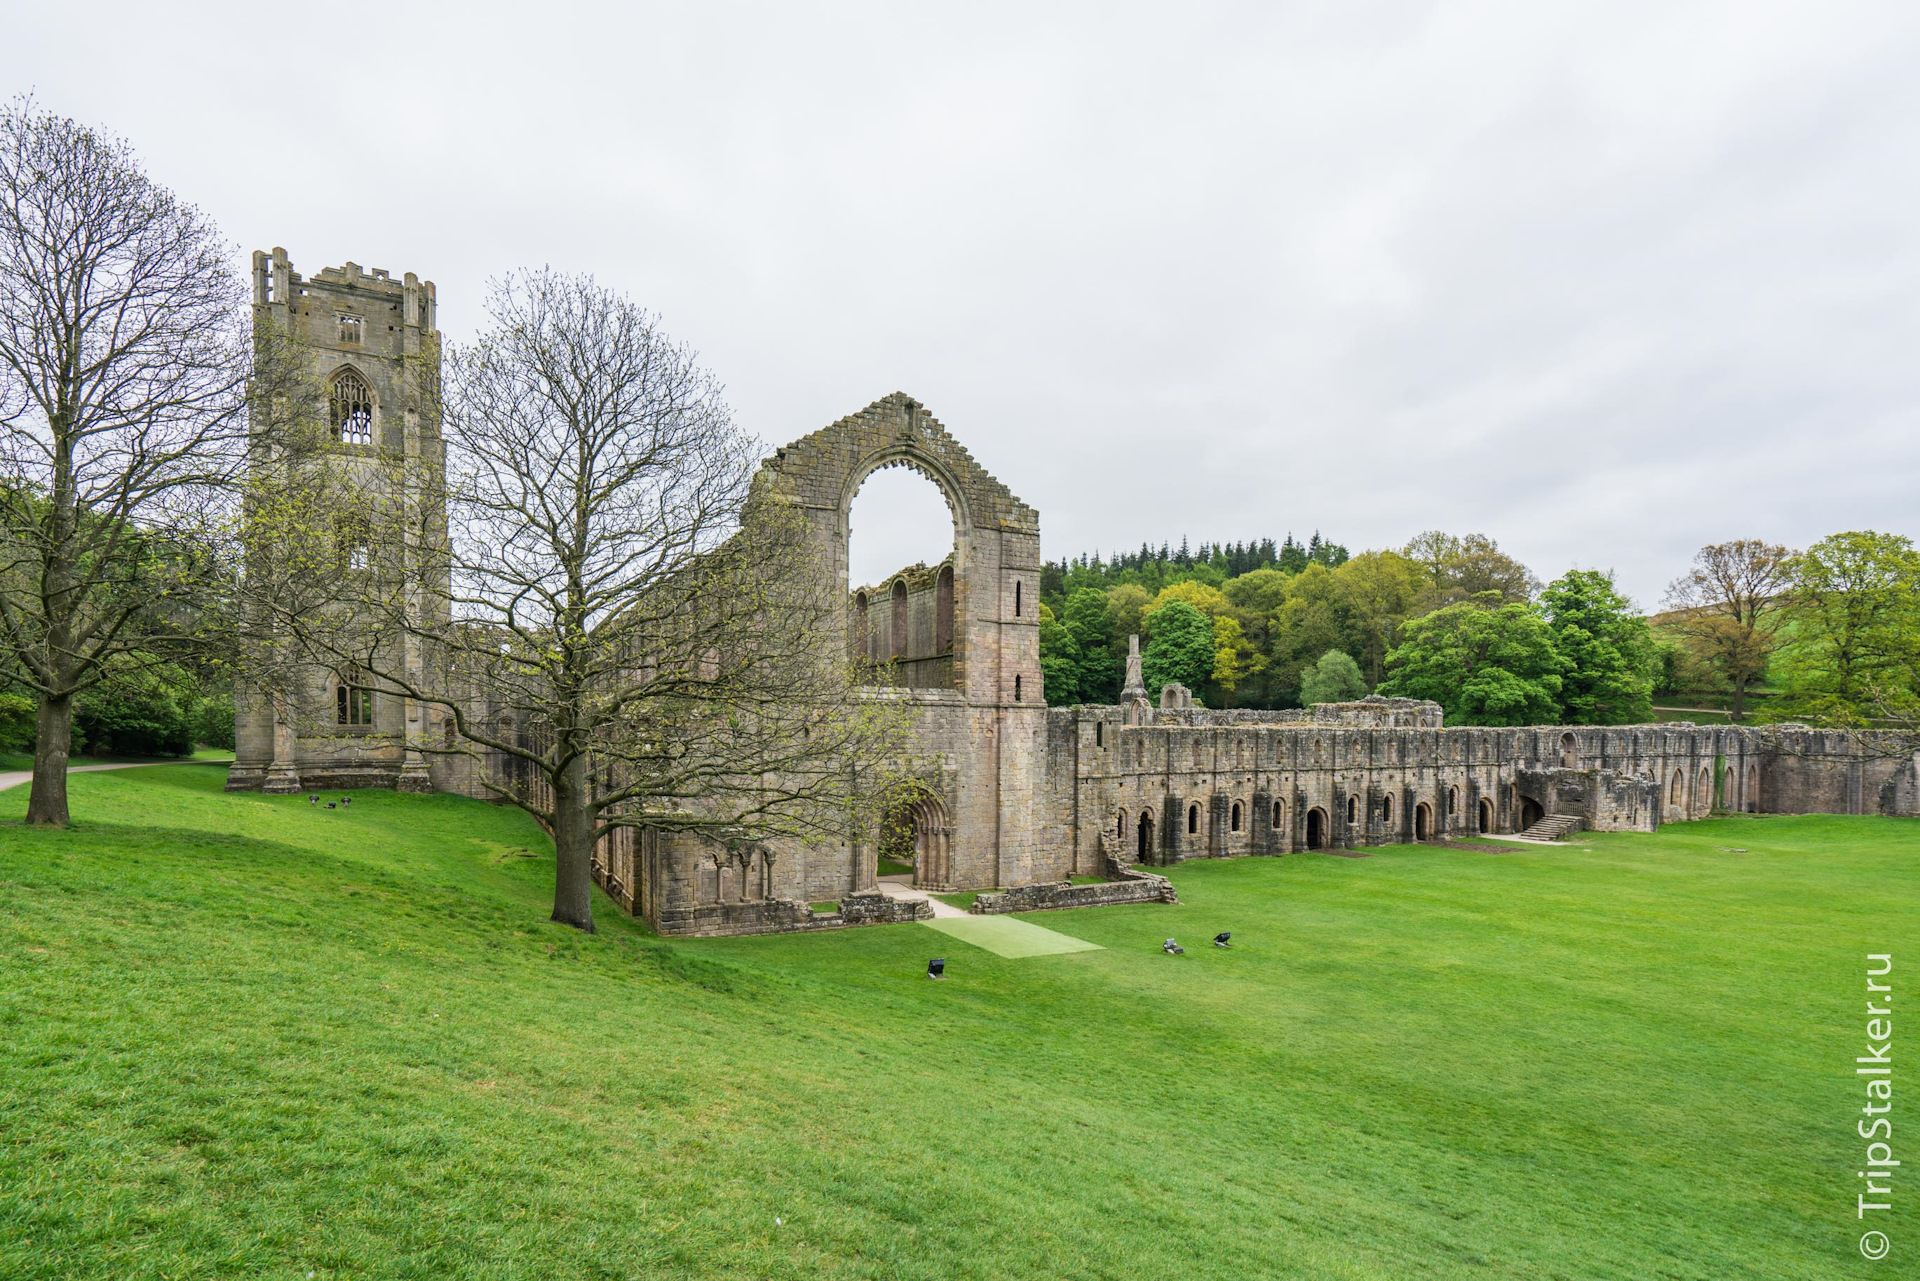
<point x="617" y="610"/>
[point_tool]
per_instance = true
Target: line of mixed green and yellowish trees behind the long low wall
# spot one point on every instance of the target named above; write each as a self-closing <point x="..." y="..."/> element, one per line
<point x="1833" y="633"/>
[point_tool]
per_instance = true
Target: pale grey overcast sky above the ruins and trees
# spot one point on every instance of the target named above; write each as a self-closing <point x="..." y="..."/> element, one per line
<point x="1604" y="281"/>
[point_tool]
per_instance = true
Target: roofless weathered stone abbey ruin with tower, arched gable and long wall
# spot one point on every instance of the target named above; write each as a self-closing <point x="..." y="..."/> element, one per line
<point x="1011" y="796"/>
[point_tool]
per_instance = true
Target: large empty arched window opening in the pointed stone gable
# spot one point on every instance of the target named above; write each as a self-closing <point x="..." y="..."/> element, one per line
<point x="901" y="568"/>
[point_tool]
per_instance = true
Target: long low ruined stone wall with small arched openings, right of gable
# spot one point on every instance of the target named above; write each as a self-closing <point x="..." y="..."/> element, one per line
<point x="1234" y="783"/>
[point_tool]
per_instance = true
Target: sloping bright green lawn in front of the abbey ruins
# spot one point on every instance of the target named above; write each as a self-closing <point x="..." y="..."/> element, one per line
<point x="241" y="1038"/>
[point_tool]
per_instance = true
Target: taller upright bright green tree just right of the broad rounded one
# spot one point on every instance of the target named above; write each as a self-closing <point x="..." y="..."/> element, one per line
<point x="1608" y="648"/>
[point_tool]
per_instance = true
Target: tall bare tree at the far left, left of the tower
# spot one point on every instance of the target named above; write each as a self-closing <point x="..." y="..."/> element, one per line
<point x="122" y="374"/>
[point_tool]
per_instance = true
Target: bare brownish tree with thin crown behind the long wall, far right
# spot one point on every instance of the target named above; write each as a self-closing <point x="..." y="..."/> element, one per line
<point x="1729" y="610"/>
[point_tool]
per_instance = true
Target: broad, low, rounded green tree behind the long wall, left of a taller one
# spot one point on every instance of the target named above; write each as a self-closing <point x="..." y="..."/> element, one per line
<point x="1483" y="664"/>
